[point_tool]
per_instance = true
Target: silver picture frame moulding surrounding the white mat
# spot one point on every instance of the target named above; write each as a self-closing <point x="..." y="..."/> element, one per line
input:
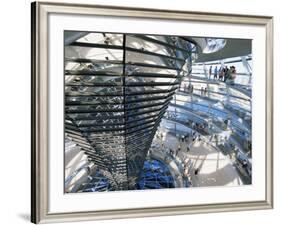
<point x="39" y="100"/>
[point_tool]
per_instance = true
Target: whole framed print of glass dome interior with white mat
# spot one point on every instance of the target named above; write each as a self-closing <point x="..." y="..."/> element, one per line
<point x="146" y="112"/>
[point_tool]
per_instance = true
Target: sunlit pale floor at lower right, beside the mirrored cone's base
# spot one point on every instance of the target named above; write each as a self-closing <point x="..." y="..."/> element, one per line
<point x="214" y="168"/>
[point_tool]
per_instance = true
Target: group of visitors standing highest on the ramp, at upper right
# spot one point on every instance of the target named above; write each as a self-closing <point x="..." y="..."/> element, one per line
<point x="223" y="73"/>
